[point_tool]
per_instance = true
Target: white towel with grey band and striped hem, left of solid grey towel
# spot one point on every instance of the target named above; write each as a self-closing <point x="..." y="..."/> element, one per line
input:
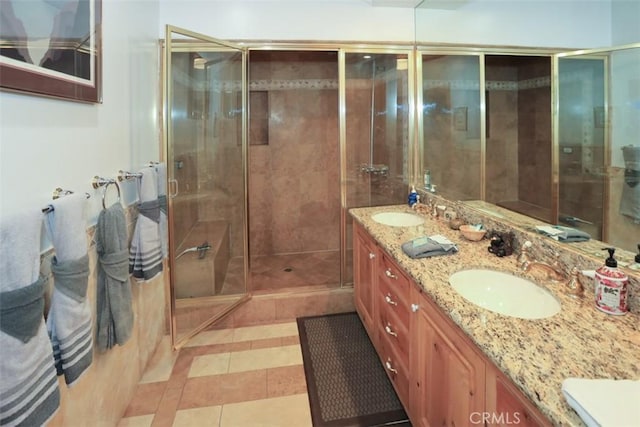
<point x="69" y="320"/>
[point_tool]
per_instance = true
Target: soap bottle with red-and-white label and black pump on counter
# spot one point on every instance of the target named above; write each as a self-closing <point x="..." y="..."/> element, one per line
<point x="611" y="287"/>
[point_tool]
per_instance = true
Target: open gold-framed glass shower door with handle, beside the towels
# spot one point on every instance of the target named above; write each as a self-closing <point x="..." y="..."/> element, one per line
<point x="205" y="86"/>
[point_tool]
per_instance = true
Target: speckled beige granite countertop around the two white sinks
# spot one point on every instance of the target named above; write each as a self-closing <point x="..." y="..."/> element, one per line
<point x="537" y="355"/>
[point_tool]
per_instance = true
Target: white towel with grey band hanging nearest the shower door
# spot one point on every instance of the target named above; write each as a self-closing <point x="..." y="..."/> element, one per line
<point x="145" y="255"/>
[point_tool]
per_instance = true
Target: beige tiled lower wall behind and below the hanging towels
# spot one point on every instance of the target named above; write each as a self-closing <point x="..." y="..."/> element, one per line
<point x="101" y="396"/>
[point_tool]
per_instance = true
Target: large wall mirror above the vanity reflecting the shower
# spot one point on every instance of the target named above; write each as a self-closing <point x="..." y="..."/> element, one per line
<point x="553" y="136"/>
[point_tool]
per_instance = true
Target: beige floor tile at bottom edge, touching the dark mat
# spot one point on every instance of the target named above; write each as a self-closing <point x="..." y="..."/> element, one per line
<point x="284" y="411"/>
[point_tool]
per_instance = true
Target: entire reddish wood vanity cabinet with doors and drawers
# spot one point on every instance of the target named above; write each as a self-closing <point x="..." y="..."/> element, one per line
<point x="439" y="374"/>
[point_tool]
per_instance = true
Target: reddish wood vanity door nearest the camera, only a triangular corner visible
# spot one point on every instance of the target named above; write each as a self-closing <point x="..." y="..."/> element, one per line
<point x="507" y="406"/>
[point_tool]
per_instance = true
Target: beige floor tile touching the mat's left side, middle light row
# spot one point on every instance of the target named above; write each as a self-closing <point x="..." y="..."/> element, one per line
<point x="265" y="358"/>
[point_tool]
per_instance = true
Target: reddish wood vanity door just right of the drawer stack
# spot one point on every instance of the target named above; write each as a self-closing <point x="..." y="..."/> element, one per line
<point x="448" y="375"/>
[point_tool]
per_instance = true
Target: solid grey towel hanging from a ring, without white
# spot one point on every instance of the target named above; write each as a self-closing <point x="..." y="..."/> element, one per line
<point x="114" y="313"/>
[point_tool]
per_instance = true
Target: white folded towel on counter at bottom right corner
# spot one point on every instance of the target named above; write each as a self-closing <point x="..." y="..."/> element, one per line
<point x="604" y="402"/>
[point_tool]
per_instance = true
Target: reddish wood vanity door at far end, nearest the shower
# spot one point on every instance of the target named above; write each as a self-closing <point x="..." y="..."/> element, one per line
<point x="364" y="277"/>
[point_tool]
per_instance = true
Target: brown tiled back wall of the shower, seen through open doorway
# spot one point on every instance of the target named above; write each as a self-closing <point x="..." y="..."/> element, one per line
<point x="294" y="180"/>
